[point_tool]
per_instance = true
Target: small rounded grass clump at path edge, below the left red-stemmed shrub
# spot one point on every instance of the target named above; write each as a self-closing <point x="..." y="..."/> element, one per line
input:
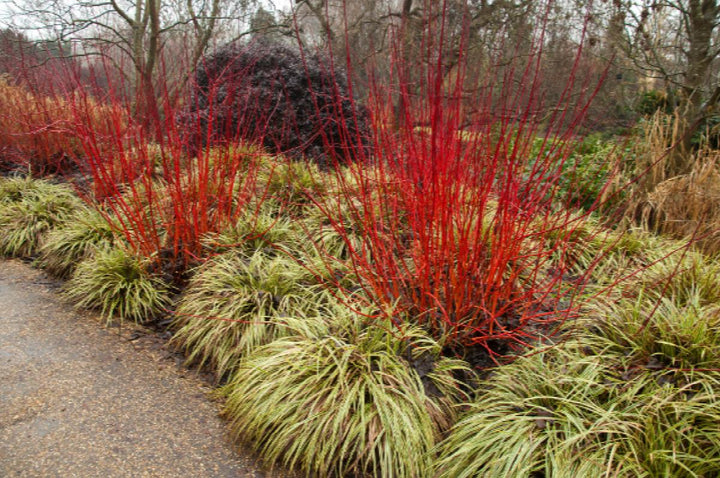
<point x="118" y="284"/>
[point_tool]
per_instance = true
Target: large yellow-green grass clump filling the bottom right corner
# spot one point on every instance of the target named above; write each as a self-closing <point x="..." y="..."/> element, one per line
<point x="564" y="413"/>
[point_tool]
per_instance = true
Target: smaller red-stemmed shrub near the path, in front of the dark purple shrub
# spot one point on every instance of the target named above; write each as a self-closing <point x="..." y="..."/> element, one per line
<point x="162" y="200"/>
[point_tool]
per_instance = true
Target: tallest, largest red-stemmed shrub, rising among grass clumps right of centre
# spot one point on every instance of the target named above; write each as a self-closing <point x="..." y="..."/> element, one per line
<point x="465" y="231"/>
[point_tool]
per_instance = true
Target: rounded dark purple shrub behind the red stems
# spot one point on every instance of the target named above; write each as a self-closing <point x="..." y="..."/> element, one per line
<point x="289" y="101"/>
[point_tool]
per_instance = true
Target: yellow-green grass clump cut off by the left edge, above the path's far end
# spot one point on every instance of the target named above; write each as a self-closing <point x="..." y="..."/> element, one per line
<point x="29" y="210"/>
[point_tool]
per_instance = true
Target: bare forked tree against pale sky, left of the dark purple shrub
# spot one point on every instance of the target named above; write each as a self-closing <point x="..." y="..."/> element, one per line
<point x="131" y="31"/>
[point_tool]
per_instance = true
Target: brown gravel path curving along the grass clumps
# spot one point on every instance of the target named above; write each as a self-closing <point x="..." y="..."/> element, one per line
<point x="80" y="400"/>
